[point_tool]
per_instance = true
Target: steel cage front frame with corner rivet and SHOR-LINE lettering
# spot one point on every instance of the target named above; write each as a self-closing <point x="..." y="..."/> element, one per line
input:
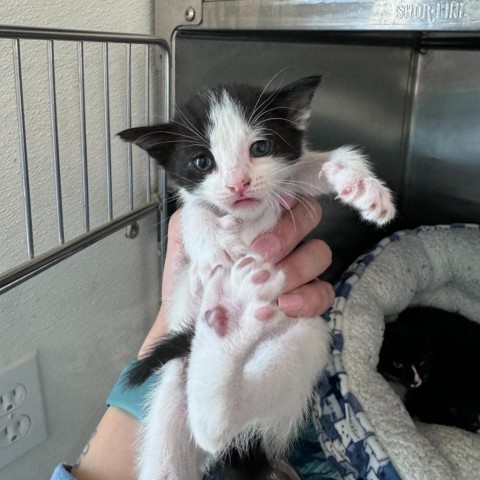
<point x="427" y="17"/>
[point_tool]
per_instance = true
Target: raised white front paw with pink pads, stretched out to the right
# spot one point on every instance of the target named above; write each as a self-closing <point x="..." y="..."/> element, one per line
<point x="349" y="174"/>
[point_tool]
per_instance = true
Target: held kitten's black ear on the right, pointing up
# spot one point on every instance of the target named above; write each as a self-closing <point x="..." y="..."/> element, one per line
<point x="297" y="97"/>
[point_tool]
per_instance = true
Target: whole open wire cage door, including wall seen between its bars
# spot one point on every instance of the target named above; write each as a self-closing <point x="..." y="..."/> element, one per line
<point x="67" y="180"/>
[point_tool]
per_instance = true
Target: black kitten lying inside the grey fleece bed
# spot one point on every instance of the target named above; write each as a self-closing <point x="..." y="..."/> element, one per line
<point x="435" y="356"/>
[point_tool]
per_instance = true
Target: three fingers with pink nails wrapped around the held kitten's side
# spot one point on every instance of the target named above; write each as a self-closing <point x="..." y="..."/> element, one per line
<point x="304" y="295"/>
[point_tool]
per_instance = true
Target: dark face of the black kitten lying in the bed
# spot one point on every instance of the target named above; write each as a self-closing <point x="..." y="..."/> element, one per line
<point x="403" y="359"/>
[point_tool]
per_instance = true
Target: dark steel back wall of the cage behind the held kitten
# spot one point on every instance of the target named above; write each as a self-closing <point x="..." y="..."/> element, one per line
<point x="363" y="101"/>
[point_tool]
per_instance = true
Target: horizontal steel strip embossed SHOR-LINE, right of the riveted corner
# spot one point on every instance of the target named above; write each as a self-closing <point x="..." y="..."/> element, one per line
<point x="341" y="14"/>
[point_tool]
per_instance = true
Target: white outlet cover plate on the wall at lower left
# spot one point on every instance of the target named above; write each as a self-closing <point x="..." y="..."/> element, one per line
<point x="24" y="372"/>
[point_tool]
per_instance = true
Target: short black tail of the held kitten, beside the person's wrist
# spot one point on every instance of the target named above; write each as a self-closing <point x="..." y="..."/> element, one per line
<point x="174" y="345"/>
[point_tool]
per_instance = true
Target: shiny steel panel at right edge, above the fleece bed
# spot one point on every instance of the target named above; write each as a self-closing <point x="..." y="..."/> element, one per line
<point x="443" y="175"/>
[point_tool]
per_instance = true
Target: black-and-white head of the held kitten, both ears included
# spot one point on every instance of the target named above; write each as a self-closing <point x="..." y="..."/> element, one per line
<point x="233" y="147"/>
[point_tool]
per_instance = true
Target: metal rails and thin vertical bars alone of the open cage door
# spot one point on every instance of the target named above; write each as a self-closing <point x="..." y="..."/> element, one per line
<point x="36" y="264"/>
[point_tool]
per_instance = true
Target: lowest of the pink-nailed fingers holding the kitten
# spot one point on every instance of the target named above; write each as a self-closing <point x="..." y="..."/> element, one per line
<point x="308" y="301"/>
